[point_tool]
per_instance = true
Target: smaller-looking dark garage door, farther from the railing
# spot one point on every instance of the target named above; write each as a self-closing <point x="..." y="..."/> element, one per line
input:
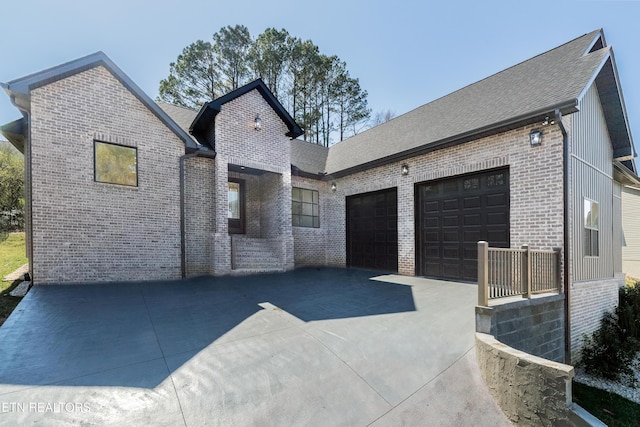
<point x="372" y="230"/>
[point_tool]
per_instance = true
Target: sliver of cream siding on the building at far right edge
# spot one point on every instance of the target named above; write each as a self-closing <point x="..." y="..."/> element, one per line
<point x="631" y="231"/>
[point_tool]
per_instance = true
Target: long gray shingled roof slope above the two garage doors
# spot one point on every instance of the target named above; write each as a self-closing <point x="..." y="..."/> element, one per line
<point x="553" y="80"/>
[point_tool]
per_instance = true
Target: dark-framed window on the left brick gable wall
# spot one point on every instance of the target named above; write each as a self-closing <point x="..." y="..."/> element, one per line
<point x="115" y="164"/>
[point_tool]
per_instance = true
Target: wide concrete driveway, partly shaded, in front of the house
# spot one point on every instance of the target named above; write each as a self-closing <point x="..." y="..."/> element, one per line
<point x="321" y="347"/>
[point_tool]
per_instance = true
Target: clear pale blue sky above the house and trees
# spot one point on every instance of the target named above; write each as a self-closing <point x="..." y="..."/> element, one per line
<point x="405" y="53"/>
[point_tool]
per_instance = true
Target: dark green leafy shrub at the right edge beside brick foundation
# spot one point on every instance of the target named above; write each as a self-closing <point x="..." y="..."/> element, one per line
<point x="611" y="350"/>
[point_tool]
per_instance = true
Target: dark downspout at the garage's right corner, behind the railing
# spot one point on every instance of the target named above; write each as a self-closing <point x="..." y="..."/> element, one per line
<point x="566" y="240"/>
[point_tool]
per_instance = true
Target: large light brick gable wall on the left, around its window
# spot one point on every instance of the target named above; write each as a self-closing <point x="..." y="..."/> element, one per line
<point x="87" y="231"/>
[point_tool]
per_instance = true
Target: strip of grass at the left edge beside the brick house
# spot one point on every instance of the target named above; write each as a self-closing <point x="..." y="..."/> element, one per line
<point x="12" y="251"/>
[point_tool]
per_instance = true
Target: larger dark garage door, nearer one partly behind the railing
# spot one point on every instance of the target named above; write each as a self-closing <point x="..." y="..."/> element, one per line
<point x="453" y="215"/>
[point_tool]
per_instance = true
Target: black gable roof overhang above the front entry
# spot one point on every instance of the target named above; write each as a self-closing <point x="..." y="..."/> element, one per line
<point x="208" y="112"/>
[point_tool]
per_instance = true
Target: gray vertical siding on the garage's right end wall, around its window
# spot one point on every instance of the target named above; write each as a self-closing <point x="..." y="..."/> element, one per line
<point x="592" y="178"/>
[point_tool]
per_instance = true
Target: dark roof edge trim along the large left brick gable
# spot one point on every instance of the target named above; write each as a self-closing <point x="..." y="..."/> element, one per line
<point x="20" y="89"/>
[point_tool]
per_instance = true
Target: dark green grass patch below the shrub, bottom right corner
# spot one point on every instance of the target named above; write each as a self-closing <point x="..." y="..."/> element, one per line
<point x="611" y="409"/>
